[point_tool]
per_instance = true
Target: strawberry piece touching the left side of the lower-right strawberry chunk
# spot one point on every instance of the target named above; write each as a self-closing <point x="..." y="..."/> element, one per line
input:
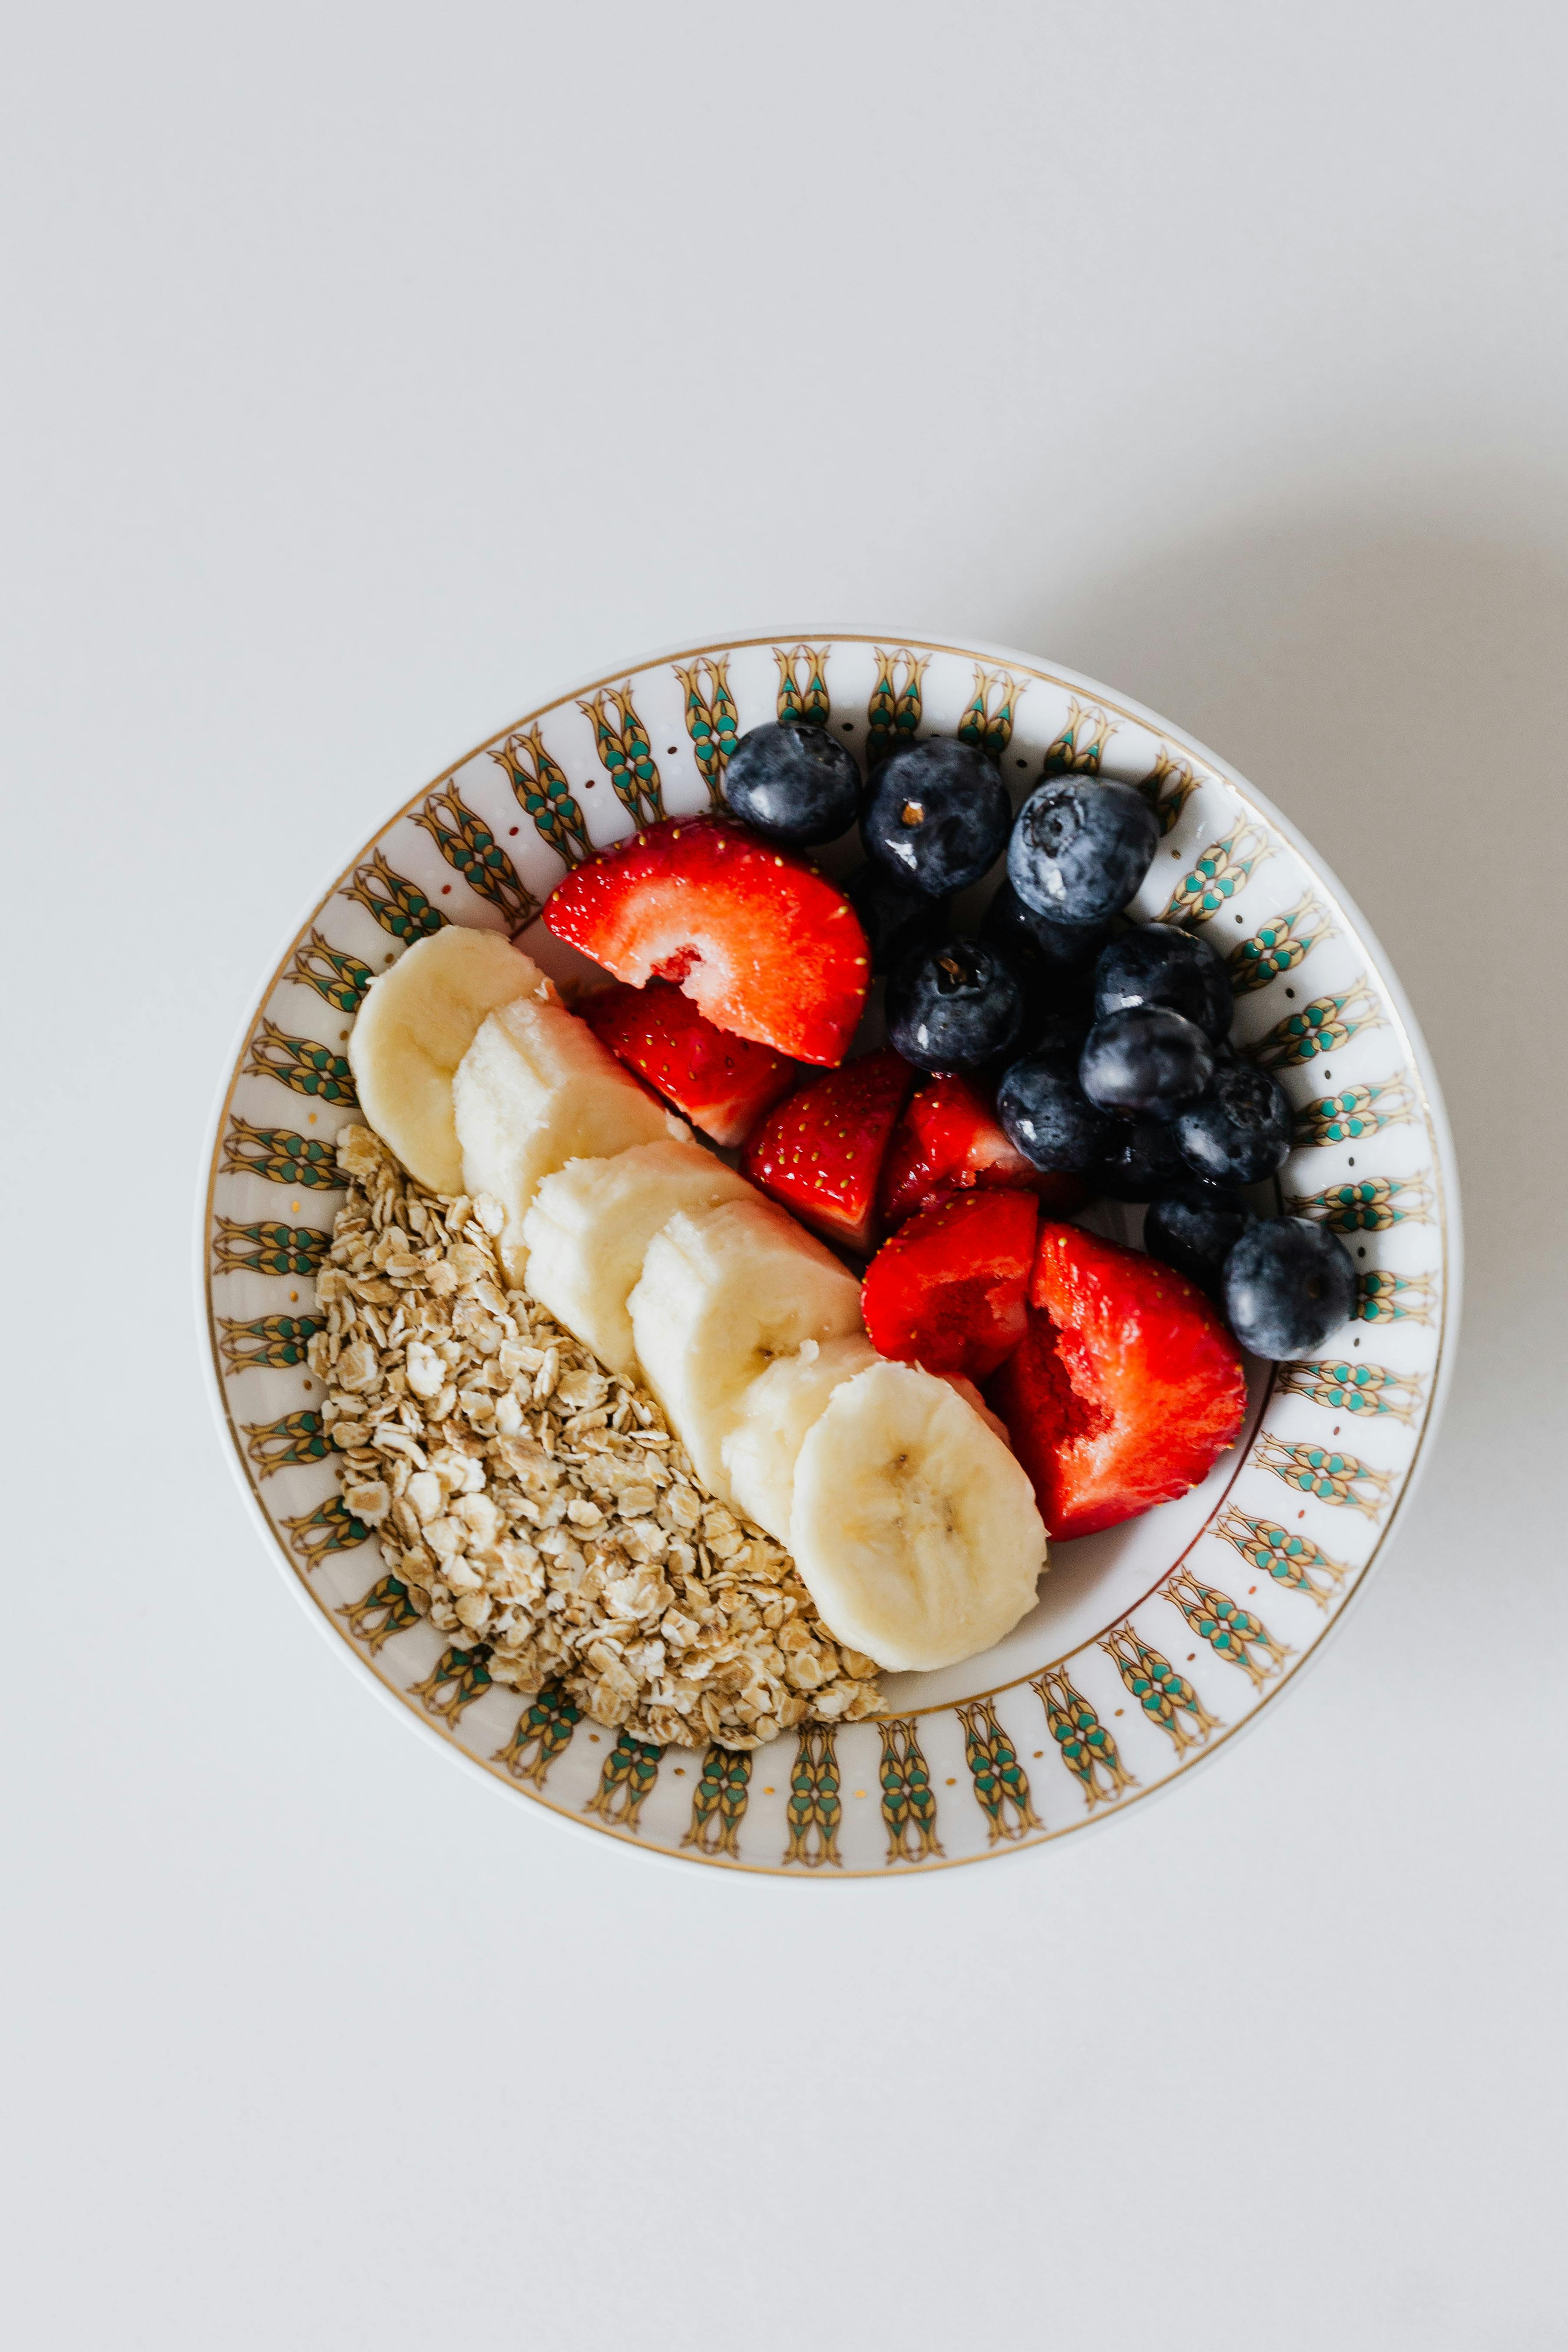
<point x="949" y="1290"/>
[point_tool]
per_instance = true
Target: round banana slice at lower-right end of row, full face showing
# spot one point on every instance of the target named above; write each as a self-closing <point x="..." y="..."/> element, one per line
<point x="913" y="1528"/>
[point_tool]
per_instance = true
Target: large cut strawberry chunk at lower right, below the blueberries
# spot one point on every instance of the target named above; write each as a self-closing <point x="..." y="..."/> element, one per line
<point x="1125" y="1389"/>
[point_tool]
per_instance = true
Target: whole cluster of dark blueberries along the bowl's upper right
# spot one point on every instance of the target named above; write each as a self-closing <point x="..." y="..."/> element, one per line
<point x="1130" y="1081"/>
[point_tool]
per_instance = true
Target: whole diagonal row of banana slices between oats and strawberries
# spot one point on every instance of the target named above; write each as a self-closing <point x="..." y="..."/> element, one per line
<point x="909" y="1518"/>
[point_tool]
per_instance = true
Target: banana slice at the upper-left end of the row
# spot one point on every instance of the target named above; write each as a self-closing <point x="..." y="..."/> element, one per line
<point x="413" y="1031"/>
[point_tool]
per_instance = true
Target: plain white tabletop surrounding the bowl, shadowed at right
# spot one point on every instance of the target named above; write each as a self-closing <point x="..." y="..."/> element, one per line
<point x="380" y="370"/>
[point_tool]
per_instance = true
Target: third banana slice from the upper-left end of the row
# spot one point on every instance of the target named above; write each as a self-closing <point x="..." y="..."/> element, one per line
<point x="589" y="1229"/>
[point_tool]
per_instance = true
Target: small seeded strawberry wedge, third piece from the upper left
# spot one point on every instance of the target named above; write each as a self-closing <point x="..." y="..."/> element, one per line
<point x="822" y="1151"/>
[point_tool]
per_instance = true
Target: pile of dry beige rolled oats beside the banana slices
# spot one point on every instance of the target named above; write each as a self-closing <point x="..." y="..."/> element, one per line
<point x="537" y="1504"/>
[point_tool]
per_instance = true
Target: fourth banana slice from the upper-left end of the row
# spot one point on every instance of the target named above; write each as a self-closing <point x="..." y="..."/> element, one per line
<point x="723" y="1292"/>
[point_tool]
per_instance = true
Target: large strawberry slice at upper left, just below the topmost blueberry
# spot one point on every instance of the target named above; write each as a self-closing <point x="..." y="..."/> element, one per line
<point x="756" y="937"/>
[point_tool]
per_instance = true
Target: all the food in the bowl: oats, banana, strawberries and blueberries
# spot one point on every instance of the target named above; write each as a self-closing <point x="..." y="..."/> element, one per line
<point x="704" y="1365"/>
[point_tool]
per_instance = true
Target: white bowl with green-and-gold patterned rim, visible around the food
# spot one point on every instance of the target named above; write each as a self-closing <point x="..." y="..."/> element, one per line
<point x="1155" y="1643"/>
